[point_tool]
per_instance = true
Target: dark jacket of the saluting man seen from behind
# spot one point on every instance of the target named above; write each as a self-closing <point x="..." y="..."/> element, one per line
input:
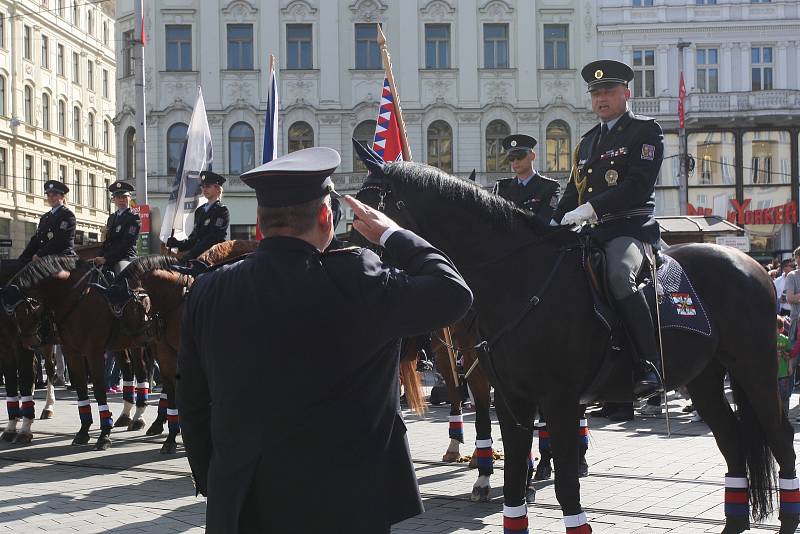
<point x="319" y="333"/>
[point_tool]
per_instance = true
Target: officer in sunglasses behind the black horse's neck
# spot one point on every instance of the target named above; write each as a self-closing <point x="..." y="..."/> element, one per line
<point x="529" y="190"/>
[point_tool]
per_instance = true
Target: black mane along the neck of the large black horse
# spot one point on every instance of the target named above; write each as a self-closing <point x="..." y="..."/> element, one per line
<point x="495" y="209"/>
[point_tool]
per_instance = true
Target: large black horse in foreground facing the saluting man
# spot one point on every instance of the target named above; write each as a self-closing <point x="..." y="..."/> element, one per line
<point x="544" y="362"/>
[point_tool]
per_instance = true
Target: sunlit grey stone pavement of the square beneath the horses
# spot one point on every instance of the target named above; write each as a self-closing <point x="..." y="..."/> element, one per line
<point x="641" y="481"/>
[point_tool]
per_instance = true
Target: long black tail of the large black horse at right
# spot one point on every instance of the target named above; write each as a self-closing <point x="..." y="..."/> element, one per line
<point x="760" y="465"/>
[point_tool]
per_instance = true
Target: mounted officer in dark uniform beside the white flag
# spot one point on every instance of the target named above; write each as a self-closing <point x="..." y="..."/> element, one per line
<point x="210" y="220"/>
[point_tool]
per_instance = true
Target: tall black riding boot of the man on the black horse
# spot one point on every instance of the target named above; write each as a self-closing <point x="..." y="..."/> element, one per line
<point x="636" y="317"/>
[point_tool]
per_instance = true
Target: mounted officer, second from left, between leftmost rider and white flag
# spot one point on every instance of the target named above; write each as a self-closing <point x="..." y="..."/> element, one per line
<point x="122" y="231"/>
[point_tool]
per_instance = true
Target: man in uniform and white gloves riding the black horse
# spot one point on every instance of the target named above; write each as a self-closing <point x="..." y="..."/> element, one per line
<point x="613" y="188"/>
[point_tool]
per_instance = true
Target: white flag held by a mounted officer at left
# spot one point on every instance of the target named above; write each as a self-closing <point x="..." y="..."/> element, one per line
<point x="196" y="157"/>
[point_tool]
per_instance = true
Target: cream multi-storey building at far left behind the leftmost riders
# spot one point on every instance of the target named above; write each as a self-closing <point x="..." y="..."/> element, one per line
<point x="57" y="86"/>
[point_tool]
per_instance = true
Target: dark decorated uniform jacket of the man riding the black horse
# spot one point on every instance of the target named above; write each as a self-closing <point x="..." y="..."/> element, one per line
<point x="621" y="176"/>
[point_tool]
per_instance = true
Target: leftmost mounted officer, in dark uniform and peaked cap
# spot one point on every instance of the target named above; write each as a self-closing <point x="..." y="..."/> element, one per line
<point x="56" y="231"/>
